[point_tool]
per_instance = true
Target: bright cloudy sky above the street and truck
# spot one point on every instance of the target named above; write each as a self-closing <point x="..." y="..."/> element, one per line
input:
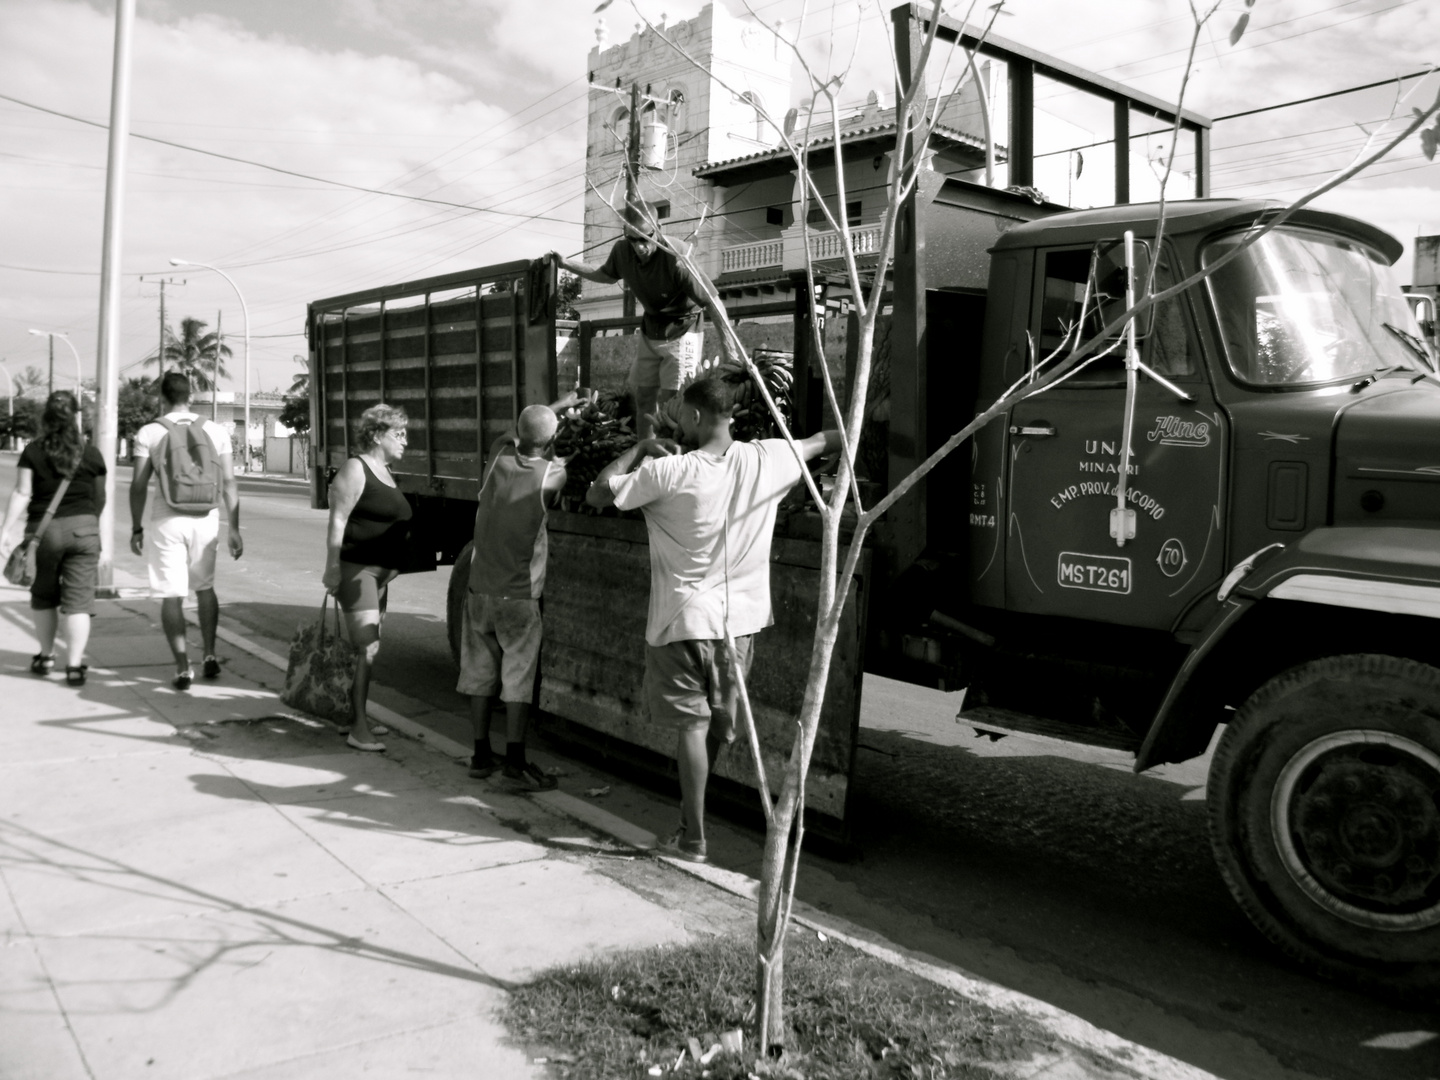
<point x="483" y="103"/>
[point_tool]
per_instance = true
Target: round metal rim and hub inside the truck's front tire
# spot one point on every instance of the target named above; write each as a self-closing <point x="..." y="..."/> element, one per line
<point x="1357" y="824"/>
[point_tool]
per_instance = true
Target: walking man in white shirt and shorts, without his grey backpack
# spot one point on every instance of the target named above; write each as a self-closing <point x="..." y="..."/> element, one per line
<point x="182" y="548"/>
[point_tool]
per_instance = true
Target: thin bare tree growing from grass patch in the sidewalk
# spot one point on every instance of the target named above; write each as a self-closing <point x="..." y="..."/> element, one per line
<point x="917" y="119"/>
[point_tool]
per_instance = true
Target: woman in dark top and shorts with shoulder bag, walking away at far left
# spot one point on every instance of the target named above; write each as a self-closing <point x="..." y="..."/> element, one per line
<point x="64" y="477"/>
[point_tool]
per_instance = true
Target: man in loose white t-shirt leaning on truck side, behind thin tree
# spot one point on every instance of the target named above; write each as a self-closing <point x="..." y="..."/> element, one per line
<point x="711" y="516"/>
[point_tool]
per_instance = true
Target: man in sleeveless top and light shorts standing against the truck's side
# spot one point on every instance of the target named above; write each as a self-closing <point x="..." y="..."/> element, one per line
<point x="500" y="634"/>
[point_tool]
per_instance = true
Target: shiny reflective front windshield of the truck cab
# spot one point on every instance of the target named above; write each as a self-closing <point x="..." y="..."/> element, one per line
<point x="1302" y="307"/>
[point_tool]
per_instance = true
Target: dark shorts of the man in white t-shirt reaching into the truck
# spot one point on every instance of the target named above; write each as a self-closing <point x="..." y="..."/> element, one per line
<point x="692" y="685"/>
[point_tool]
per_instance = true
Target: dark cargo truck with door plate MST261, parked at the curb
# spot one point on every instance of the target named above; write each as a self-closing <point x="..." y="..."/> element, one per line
<point x="1281" y="587"/>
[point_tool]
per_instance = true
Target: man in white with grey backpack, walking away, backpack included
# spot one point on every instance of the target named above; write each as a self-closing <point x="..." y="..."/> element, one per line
<point x="191" y="462"/>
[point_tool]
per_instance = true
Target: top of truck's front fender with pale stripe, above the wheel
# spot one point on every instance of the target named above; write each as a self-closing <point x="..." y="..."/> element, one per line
<point x="1392" y="570"/>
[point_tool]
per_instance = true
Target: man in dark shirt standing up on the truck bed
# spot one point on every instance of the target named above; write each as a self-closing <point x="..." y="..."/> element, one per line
<point x="673" y="297"/>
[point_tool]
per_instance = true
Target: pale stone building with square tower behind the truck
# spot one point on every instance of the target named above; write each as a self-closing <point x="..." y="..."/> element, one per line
<point x="715" y="171"/>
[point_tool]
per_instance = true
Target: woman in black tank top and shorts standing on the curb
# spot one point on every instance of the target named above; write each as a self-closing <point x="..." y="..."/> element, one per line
<point x="365" y="548"/>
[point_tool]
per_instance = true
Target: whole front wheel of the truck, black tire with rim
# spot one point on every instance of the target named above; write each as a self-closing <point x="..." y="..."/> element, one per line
<point x="1326" y="823"/>
